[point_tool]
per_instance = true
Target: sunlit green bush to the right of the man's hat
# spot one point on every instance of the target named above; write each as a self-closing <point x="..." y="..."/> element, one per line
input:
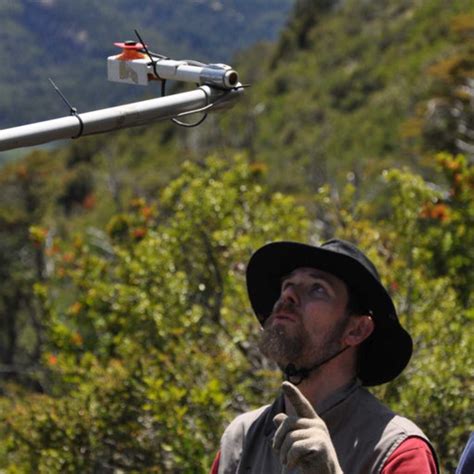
<point x="435" y="389"/>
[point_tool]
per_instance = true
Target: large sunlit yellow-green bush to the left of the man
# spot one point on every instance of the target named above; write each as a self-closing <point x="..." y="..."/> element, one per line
<point x="151" y="343"/>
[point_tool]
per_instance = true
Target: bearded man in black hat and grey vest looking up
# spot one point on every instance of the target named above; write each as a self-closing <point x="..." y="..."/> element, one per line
<point x="332" y="328"/>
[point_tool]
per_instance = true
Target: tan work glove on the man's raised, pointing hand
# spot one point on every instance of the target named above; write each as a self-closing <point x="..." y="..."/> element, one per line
<point x="303" y="440"/>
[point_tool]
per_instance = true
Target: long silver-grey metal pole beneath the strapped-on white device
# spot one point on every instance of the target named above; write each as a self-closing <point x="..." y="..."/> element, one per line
<point x="114" y="118"/>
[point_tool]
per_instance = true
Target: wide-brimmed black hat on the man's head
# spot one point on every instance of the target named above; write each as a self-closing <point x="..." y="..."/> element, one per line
<point x="386" y="352"/>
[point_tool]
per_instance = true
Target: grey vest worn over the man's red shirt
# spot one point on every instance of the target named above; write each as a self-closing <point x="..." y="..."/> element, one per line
<point x="364" y="433"/>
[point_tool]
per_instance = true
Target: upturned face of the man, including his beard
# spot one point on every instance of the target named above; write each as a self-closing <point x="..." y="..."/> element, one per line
<point x="308" y="320"/>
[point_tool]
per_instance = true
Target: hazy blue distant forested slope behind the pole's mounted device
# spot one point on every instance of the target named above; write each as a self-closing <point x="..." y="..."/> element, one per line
<point x="70" y="42"/>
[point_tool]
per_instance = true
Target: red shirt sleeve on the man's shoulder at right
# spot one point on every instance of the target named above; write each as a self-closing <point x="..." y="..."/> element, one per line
<point x="413" y="456"/>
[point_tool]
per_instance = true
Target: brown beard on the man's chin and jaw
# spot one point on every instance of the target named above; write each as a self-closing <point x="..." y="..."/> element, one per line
<point x="292" y="345"/>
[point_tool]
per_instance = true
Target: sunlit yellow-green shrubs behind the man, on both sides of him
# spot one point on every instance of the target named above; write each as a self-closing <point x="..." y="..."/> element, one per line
<point x="152" y="347"/>
